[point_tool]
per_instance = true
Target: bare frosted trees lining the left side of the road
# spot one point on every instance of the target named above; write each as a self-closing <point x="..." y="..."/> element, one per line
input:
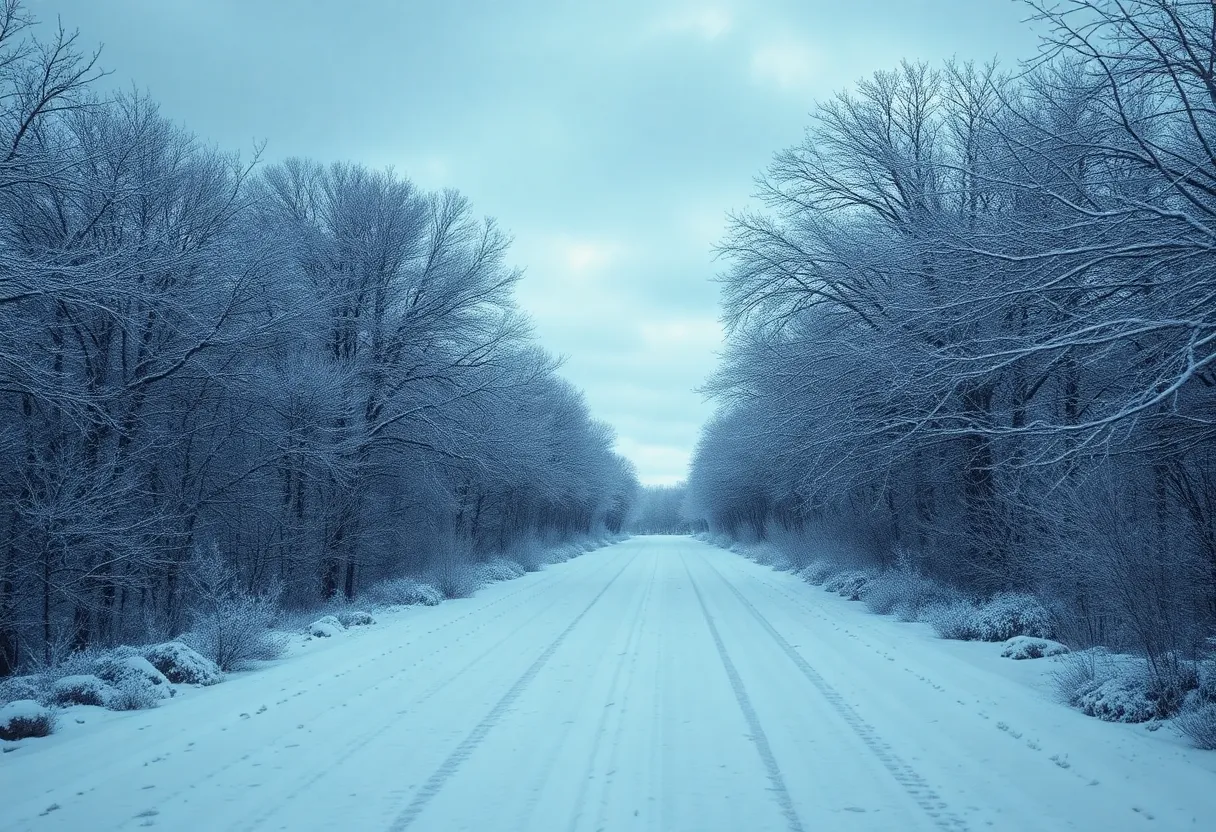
<point x="316" y="370"/>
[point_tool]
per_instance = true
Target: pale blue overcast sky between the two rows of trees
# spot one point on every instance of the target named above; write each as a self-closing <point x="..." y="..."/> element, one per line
<point x="610" y="138"/>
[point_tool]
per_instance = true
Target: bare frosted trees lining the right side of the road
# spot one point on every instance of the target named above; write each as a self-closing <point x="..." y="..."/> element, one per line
<point x="973" y="330"/>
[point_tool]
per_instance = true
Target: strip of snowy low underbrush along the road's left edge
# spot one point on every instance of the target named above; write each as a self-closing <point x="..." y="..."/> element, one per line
<point x="233" y="632"/>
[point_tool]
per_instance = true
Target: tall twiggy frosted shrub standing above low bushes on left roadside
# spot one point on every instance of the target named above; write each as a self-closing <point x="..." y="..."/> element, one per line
<point x="232" y="627"/>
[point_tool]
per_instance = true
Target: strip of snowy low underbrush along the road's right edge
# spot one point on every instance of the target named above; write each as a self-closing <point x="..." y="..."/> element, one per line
<point x="1097" y="682"/>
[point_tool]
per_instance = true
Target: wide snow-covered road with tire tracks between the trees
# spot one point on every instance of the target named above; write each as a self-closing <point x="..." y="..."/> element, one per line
<point x="660" y="684"/>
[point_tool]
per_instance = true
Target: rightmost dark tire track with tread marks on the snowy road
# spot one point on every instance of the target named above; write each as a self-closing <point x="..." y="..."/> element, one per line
<point x="904" y="774"/>
